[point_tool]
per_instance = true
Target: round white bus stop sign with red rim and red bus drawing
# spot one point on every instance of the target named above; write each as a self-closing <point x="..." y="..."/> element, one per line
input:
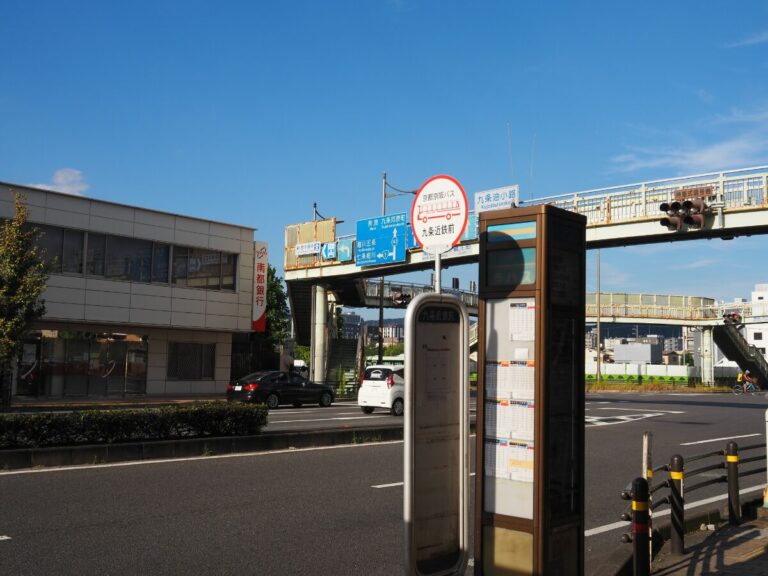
<point x="439" y="214"/>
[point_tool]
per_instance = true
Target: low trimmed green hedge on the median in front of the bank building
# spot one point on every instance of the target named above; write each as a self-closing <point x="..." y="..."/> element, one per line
<point x="112" y="426"/>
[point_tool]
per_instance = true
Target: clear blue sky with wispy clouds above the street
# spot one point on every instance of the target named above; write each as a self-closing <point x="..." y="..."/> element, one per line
<point x="248" y="112"/>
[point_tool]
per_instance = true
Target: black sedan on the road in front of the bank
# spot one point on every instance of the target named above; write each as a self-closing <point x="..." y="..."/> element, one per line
<point x="274" y="387"/>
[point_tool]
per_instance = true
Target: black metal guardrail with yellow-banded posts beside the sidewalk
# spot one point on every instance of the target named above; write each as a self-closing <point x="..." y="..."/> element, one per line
<point x="642" y="492"/>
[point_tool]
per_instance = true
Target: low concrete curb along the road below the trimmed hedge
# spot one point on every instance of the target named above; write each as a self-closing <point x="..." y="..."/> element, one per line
<point x="169" y="449"/>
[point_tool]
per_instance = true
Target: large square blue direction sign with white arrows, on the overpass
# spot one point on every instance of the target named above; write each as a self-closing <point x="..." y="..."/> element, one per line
<point x="381" y="240"/>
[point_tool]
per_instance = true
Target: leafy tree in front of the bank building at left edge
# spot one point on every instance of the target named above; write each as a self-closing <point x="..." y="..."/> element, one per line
<point x="23" y="278"/>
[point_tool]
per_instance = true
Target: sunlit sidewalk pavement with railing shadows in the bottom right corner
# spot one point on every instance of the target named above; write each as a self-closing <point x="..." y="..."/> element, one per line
<point x="727" y="550"/>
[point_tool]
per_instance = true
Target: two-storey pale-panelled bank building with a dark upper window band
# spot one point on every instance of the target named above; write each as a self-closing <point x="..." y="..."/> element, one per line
<point x="138" y="301"/>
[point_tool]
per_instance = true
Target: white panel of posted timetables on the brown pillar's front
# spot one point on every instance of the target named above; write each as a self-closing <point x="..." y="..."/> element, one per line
<point x="509" y="406"/>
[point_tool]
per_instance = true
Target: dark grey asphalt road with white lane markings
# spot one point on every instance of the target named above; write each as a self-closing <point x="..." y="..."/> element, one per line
<point x="319" y="511"/>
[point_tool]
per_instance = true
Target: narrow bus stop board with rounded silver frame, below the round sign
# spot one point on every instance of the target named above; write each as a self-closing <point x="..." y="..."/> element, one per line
<point x="436" y="434"/>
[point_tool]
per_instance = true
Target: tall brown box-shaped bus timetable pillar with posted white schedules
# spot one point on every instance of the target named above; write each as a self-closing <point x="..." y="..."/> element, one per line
<point x="530" y="418"/>
